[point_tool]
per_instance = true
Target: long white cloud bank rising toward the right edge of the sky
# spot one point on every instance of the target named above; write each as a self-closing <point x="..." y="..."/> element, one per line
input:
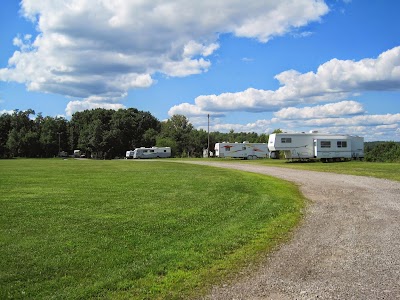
<point x="334" y="80"/>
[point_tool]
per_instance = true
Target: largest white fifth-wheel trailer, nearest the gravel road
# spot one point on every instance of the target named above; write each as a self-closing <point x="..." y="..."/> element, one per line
<point x="314" y="145"/>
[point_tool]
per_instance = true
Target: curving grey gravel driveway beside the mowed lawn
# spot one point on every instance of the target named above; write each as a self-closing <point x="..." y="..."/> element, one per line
<point x="348" y="246"/>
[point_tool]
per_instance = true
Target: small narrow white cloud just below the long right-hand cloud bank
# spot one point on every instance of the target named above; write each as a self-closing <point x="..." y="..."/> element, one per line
<point x="321" y="111"/>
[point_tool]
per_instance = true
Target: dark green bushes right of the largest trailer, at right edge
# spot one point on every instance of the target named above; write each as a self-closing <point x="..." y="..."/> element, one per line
<point x="382" y="151"/>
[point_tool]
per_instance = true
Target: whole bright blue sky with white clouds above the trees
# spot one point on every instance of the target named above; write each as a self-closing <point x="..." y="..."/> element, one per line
<point x="253" y="66"/>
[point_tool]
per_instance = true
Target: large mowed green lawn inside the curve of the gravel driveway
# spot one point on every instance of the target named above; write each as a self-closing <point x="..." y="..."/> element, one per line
<point x="81" y="229"/>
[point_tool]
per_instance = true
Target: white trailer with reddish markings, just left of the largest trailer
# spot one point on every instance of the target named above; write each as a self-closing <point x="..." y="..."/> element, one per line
<point x="241" y="150"/>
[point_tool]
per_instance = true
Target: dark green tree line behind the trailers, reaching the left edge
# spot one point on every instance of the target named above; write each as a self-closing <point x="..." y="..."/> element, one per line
<point x="105" y="133"/>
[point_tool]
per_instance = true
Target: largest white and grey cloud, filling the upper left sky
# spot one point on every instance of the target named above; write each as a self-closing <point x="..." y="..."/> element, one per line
<point x="105" y="48"/>
